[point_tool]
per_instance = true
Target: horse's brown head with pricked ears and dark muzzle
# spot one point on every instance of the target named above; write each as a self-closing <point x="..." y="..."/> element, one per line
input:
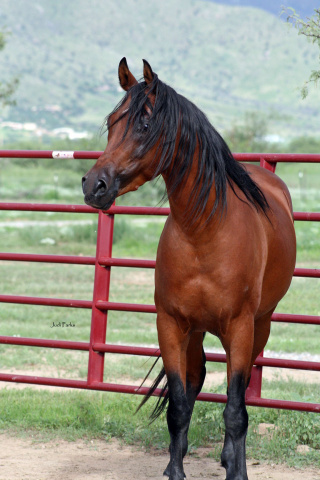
<point x="127" y="162"/>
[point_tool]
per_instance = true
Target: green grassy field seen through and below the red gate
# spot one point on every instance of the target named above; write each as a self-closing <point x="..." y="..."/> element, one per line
<point x="74" y="414"/>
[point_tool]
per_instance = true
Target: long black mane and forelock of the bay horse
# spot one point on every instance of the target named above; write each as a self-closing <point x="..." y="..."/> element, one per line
<point x="173" y="116"/>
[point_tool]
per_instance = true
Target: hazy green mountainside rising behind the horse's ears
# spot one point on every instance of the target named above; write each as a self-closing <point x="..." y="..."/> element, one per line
<point x="227" y="59"/>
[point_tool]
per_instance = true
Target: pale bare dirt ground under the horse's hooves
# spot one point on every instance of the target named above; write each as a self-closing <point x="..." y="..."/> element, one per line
<point x="22" y="459"/>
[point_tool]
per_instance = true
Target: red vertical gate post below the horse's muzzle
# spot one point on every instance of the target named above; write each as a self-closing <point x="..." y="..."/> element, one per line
<point x="100" y="292"/>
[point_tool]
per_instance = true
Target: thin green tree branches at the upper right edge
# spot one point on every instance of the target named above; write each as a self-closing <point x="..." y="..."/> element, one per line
<point x="310" y="28"/>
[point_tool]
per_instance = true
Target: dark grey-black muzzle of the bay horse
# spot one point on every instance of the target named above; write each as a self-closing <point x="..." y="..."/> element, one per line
<point x="100" y="190"/>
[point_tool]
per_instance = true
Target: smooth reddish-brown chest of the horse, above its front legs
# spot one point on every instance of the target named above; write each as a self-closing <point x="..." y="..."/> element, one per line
<point x="199" y="286"/>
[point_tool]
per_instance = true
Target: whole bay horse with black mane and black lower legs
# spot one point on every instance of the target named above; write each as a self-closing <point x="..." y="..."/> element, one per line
<point x="225" y="257"/>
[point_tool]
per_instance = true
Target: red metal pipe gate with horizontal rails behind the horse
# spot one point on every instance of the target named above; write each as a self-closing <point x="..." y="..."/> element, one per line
<point x="100" y="304"/>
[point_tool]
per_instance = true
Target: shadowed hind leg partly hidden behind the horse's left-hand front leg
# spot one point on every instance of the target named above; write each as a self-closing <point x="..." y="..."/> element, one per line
<point x="195" y="375"/>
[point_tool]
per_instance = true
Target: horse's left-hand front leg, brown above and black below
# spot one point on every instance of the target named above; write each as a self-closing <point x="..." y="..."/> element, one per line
<point x="173" y="346"/>
